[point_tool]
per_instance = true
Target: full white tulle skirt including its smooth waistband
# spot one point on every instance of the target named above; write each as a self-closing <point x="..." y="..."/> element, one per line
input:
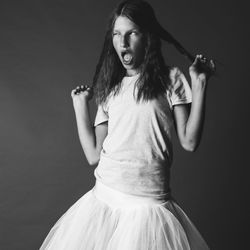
<point x="107" y="219"/>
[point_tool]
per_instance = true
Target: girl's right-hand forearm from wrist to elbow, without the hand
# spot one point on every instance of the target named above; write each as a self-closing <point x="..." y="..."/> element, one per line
<point x="195" y="122"/>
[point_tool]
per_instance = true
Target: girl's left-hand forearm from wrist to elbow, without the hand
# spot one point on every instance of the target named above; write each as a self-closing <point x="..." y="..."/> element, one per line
<point x="86" y="133"/>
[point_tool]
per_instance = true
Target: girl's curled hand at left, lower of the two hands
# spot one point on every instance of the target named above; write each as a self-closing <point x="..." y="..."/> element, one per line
<point x="81" y="95"/>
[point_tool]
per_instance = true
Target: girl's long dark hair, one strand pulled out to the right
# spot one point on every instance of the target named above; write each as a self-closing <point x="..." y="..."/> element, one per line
<point x="154" y="73"/>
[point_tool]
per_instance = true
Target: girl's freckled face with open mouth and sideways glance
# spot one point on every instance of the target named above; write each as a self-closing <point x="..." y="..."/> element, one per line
<point x="129" y="45"/>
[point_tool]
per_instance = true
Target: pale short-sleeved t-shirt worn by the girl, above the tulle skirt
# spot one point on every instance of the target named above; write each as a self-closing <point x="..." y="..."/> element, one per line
<point x="137" y="152"/>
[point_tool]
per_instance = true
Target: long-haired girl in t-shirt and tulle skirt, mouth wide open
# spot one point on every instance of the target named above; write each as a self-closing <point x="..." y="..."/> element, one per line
<point x="139" y="100"/>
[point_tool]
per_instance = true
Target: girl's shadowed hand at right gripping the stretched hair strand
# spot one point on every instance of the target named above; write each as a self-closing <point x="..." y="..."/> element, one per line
<point x="201" y="68"/>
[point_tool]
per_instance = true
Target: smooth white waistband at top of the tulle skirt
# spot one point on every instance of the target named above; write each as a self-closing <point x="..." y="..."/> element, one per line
<point x="117" y="198"/>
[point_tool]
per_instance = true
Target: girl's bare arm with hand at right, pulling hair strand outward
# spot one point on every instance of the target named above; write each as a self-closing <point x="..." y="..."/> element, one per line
<point x="190" y="121"/>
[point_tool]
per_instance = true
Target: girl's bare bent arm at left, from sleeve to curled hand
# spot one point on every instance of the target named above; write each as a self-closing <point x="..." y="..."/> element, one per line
<point x="91" y="138"/>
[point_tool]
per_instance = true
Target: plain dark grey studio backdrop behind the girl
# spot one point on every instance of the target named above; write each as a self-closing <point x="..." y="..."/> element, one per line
<point x="47" y="47"/>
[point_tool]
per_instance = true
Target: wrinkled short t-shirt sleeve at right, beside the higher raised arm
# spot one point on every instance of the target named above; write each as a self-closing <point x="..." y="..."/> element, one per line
<point x="180" y="91"/>
